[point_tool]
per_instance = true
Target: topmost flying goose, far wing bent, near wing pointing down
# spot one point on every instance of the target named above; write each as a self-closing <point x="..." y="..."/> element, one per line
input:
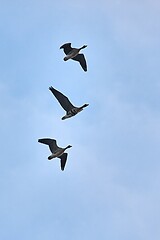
<point x="73" y="53"/>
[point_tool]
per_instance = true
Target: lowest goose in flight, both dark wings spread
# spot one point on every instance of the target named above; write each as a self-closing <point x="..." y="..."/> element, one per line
<point x="55" y="150"/>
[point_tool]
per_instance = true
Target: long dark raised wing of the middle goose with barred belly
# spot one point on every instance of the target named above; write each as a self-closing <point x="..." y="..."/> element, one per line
<point x="63" y="100"/>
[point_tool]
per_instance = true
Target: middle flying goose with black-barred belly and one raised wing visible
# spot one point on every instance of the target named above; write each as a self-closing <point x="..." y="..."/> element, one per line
<point x="66" y="104"/>
